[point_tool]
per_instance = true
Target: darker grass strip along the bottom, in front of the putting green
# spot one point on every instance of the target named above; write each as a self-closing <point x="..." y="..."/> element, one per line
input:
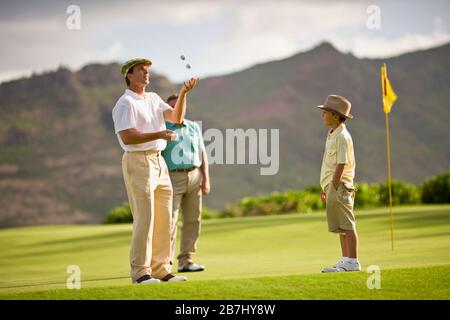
<point x="414" y="283"/>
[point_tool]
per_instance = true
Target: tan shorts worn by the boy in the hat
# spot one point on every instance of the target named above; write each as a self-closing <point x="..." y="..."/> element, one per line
<point x="340" y="203"/>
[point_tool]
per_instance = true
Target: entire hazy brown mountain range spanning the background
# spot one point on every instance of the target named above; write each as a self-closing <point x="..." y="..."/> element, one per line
<point x="60" y="161"/>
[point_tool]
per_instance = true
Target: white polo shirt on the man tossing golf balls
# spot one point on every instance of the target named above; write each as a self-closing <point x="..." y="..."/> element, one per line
<point x="142" y="113"/>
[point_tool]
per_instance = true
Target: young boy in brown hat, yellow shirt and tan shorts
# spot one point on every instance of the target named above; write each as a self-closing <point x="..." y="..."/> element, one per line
<point x="336" y="180"/>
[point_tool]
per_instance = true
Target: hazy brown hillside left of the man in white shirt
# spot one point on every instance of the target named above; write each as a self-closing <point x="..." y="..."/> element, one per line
<point x="60" y="161"/>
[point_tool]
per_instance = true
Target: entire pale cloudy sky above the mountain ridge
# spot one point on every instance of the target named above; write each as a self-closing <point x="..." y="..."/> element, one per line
<point x="216" y="37"/>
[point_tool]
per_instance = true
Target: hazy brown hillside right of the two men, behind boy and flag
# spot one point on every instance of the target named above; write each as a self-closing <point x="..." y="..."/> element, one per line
<point x="284" y="94"/>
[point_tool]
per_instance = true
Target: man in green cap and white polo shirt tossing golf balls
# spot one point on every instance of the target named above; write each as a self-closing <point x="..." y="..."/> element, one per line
<point x="139" y="122"/>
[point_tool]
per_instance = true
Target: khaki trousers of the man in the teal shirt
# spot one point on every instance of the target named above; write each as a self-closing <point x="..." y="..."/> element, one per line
<point x="187" y="195"/>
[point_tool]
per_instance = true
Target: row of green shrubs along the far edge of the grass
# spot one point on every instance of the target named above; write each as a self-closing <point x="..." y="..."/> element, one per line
<point x="434" y="190"/>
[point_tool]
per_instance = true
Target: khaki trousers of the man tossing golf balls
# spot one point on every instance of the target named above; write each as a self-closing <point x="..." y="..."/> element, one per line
<point x="150" y="196"/>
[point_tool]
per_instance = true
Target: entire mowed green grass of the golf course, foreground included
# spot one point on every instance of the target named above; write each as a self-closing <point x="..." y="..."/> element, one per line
<point x="274" y="257"/>
